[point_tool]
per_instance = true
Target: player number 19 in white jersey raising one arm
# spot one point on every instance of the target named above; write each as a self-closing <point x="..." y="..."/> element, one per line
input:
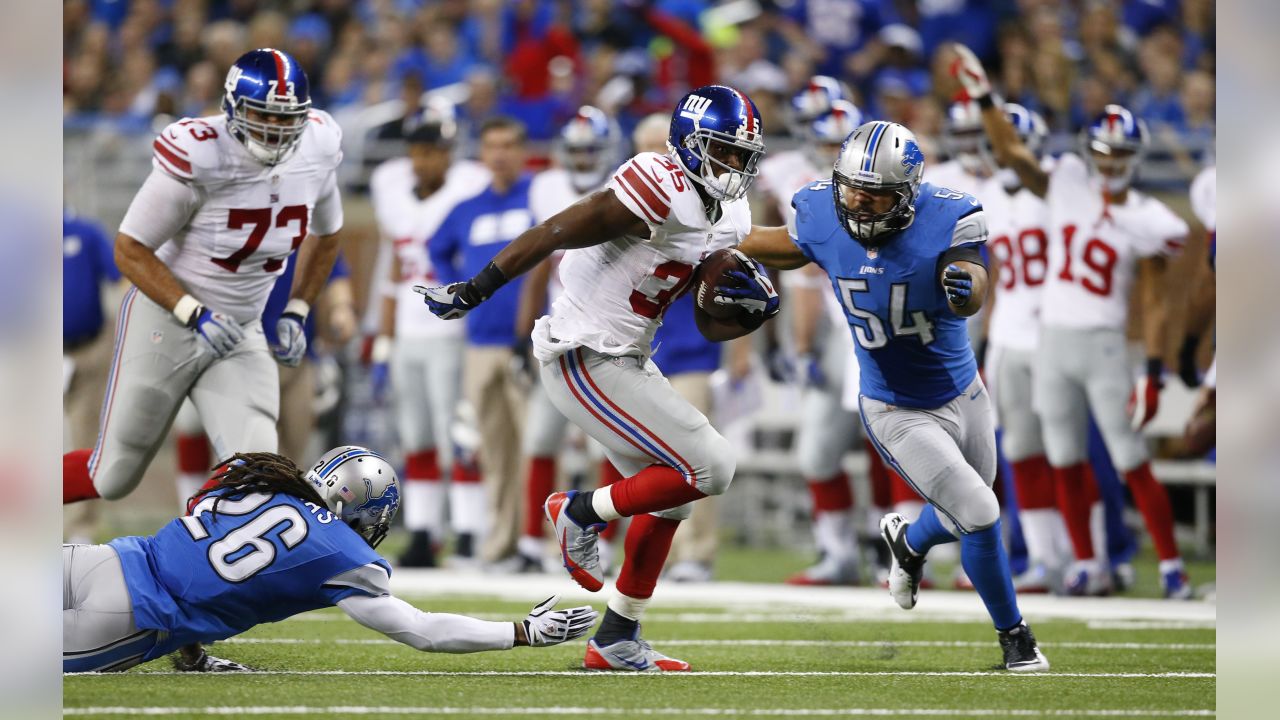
<point x="1105" y="236"/>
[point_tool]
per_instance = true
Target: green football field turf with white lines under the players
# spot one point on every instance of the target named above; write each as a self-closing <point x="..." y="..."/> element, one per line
<point x="757" y="650"/>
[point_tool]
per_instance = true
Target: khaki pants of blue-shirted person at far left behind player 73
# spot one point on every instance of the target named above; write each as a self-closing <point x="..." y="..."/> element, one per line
<point x="83" y="407"/>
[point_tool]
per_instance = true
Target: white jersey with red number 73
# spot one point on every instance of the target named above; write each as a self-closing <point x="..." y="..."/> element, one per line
<point x="240" y="221"/>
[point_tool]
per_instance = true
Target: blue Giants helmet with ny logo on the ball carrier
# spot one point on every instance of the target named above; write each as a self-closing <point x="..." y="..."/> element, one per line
<point x="712" y="125"/>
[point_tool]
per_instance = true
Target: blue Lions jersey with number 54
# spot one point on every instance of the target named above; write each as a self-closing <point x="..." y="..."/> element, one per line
<point x="913" y="350"/>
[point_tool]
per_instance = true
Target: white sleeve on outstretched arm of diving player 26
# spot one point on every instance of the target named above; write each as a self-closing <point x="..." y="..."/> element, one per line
<point x="429" y="632"/>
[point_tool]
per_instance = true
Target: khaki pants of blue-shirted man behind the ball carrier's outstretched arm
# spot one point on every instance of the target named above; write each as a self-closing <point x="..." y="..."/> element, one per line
<point x="500" y="407"/>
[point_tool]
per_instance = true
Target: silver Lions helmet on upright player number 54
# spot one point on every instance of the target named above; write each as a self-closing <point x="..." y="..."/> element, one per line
<point x="877" y="181"/>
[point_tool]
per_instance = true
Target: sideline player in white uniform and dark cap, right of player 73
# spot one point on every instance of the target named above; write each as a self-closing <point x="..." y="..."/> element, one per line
<point x="418" y="354"/>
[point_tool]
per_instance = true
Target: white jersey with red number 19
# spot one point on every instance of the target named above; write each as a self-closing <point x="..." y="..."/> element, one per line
<point x="1095" y="248"/>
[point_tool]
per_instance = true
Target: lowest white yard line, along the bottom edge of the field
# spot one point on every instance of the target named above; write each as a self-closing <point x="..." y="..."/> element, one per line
<point x="661" y="712"/>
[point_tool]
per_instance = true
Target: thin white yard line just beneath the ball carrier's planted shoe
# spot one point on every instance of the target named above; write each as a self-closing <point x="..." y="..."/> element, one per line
<point x="694" y="675"/>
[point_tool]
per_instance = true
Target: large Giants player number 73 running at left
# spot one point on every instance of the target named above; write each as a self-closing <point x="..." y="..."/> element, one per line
<point x="230" y="200"/>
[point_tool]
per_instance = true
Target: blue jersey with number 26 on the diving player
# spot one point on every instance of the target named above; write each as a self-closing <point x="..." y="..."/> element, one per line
<point x="260" y="559"/>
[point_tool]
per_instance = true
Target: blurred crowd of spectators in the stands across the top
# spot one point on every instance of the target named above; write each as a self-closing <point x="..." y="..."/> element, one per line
<point x="130" y="61"/>
